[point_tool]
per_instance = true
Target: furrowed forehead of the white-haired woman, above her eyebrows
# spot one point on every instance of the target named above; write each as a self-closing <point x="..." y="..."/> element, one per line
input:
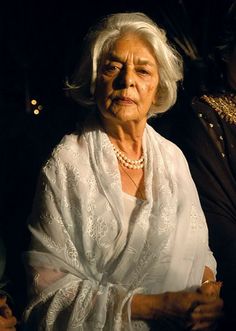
<point x="133" y="45"/>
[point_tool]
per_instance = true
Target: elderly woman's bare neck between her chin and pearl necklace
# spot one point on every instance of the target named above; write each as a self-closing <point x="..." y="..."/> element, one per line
<point x="126" y="136"/>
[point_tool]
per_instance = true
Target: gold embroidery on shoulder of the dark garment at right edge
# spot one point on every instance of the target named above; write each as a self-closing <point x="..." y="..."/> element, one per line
<point x="225" y="105"/>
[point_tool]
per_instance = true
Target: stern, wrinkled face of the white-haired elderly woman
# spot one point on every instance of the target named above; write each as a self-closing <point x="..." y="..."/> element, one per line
<point x="127" y="80"/>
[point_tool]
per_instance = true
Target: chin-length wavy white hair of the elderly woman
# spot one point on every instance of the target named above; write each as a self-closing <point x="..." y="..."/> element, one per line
<point x="99" y="40"/>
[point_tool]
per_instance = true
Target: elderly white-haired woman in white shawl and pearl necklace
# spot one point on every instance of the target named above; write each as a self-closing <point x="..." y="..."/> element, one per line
<point x="119" y="238"/>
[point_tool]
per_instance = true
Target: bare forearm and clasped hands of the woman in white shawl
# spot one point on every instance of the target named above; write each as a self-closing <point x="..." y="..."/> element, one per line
<point x="194" y="309"/>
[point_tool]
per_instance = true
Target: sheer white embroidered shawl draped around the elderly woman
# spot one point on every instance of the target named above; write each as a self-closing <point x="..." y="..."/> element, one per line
<point x="87" y="261"/>
